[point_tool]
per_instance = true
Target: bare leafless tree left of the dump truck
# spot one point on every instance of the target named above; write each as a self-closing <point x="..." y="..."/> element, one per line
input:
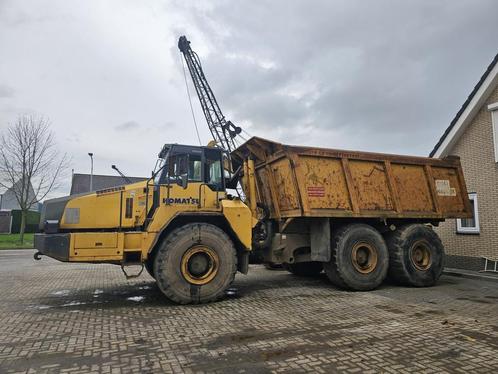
<point x="30" y="164"/>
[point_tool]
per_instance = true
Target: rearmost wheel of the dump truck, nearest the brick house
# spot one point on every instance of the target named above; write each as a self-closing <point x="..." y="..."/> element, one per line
<point x="406" y="266"/>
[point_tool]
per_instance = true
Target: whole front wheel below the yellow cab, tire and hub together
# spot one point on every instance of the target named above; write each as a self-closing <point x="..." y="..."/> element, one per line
<point x="196" y="263"/>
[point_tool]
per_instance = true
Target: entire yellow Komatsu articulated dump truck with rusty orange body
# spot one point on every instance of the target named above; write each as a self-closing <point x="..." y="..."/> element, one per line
<point x="356" y="216"/>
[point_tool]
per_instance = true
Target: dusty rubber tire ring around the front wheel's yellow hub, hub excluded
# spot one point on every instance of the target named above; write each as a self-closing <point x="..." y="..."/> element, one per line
<point x="168" y="264"/>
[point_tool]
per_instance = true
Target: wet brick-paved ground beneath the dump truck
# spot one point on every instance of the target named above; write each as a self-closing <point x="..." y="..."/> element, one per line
<point x="58" y="317"/>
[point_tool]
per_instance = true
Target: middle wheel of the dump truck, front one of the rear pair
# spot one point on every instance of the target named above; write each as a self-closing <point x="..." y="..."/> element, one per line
<point x="341" y="269"/>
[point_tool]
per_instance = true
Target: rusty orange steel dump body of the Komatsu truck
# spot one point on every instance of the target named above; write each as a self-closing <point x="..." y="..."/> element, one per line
<point x="294" y="181"/>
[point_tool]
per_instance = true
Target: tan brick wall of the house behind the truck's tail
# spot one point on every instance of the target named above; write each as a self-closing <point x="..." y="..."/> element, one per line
<point x="476" y="150"/>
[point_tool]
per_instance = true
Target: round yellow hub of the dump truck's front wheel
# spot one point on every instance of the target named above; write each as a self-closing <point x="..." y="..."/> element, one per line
<point x="199" y="265"/>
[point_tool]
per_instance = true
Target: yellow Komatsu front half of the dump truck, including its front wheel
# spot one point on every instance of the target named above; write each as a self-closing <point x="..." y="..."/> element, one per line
<point x="181" y="225"/>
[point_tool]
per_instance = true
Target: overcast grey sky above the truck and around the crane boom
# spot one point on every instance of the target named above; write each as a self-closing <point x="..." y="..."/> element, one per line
<point x="383" y="76"/>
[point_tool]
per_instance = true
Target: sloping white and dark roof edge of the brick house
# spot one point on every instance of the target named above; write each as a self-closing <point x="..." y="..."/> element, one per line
<point x="469" y="108"/>
